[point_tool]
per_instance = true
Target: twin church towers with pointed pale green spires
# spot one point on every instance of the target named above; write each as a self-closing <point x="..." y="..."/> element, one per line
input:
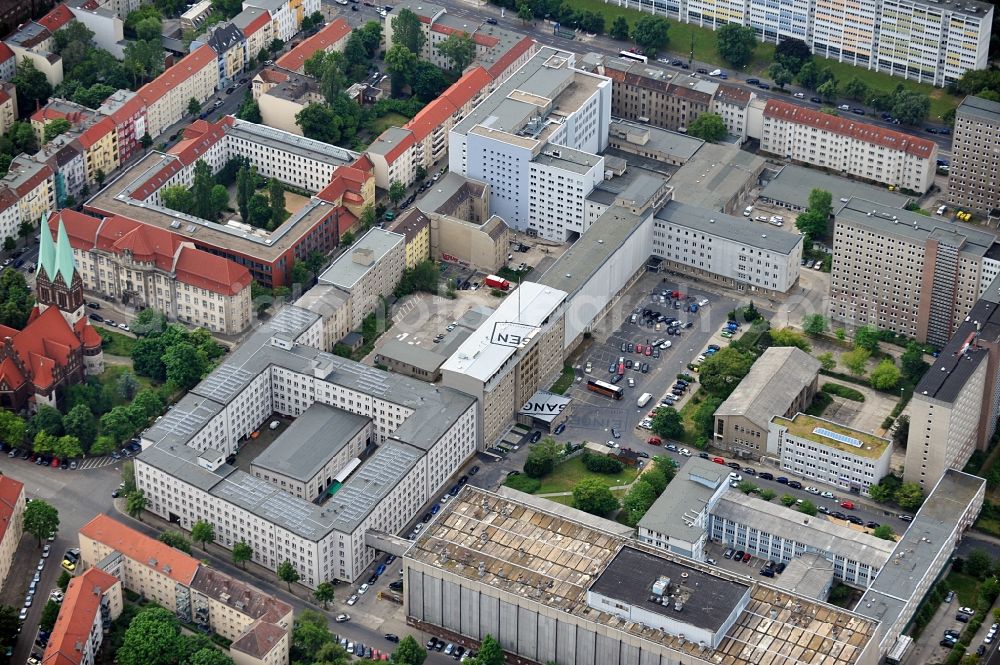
<point x="57" y="281"/>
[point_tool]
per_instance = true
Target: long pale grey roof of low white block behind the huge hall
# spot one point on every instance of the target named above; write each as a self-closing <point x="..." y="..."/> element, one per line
<point x="819" y="533"/>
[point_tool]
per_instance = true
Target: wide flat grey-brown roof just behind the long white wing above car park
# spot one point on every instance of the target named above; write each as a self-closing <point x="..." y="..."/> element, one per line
<point x="714" y="175"/>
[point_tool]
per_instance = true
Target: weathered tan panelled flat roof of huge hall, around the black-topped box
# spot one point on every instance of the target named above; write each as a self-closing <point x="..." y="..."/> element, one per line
<point x="530" y="552"/>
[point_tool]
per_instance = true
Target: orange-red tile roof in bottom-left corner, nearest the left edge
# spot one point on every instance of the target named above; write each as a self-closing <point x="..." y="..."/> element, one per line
<point x="76" y="617"/>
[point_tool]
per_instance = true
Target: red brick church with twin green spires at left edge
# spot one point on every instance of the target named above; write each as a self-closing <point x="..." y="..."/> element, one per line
<point x="58" y="347"/>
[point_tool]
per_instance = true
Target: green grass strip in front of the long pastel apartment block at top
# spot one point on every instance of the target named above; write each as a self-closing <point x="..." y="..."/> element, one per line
<point x="685" y="36"/>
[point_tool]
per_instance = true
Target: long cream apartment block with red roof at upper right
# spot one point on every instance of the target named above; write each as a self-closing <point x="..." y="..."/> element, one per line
<point x="848" y="147"/>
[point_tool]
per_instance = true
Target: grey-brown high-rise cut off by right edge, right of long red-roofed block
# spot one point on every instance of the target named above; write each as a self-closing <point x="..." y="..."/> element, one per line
<point x="972" y="179"/>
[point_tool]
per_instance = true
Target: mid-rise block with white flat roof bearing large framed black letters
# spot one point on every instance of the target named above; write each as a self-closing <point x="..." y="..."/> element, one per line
<point x="515" y="352"/>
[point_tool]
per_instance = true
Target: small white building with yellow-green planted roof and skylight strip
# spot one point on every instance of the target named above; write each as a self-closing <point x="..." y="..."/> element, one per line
<point x="821" y="450"/>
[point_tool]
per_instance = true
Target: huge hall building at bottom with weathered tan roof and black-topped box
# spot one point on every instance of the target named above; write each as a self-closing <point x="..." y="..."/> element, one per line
<point x="586" y="596"/>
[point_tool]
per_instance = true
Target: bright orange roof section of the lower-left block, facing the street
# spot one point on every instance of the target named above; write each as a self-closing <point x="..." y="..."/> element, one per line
<point x="142" y="549"/>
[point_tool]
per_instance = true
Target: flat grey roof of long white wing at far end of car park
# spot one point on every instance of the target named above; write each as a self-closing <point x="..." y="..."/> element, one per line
<point x="736" y="229"/>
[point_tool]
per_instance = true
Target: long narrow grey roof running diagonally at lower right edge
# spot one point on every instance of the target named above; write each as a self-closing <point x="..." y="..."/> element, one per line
<point x="935" y="527"/>
